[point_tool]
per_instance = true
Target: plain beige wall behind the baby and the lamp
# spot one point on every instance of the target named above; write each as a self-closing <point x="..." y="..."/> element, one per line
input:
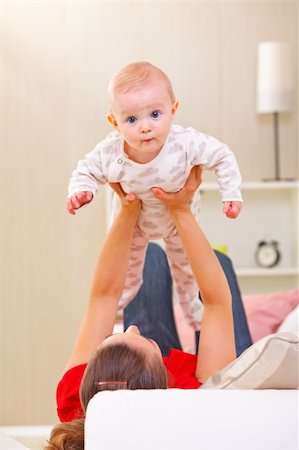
<point x="55" y="62"/>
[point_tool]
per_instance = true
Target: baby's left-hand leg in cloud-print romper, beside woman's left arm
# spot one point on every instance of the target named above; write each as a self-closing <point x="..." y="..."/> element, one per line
<point x="135" y="269"/>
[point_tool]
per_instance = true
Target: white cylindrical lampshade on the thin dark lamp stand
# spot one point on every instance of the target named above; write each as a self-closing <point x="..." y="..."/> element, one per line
<point x="274" y="78"/>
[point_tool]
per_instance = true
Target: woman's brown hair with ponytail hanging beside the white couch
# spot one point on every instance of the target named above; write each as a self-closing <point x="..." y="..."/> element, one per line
<point x="111" y="363"/>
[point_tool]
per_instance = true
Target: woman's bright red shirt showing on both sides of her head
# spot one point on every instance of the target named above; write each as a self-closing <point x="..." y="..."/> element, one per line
<point x="180" y="367"/>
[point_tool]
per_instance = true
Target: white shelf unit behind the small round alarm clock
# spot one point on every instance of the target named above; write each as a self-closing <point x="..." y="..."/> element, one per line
<point x="270" y="213"/>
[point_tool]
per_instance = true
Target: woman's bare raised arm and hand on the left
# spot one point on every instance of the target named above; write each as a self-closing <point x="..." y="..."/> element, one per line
<point x="108" y="282"/>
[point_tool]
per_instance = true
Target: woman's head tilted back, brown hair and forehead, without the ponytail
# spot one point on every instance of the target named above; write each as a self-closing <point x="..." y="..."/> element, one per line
<point x="124" y="357"/>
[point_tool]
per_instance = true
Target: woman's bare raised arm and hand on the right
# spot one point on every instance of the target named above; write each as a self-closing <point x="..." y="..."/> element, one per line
<point x="216" y="345"/>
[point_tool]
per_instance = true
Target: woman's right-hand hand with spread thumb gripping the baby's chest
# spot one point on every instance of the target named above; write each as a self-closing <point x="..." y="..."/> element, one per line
<point x="180" y="201"/>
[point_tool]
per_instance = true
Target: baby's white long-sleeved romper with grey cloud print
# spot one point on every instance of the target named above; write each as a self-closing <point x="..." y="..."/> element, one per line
<point x="183" y="149"/>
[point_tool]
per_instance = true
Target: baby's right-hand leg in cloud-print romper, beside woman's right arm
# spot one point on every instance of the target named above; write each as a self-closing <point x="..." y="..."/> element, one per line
<point x="186" y="287"/>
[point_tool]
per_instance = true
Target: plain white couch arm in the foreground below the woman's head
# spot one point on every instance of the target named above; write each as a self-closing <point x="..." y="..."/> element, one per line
<point x="176" y="419"/>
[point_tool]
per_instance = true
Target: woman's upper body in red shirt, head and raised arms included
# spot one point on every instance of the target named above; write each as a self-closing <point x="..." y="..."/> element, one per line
<point x="129" y="360"/>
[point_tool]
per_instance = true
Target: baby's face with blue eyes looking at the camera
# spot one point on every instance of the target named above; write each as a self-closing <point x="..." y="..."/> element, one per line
<point x="143" y="116"/>
